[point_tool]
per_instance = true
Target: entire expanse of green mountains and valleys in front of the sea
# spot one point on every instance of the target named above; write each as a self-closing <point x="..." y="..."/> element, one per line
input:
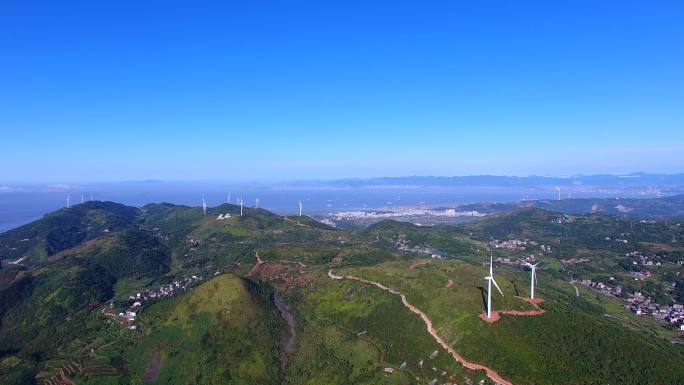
<point x="257" y="298"/>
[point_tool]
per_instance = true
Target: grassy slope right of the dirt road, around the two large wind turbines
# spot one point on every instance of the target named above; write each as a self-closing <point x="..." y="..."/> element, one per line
<point x="573" y="343"/>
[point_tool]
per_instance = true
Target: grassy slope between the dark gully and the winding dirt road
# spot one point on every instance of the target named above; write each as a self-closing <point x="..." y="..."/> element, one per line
<point x="331" y="351"/>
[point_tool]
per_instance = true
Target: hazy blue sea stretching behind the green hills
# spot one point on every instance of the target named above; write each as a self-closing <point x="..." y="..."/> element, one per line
<point x="23" y="205"/>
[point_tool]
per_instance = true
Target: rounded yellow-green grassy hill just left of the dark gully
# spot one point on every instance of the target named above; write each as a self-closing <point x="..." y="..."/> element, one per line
<point x="220" y="333"/>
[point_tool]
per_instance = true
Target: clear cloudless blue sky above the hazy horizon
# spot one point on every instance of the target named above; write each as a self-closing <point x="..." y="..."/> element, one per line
<point x="118" y="90"/>
